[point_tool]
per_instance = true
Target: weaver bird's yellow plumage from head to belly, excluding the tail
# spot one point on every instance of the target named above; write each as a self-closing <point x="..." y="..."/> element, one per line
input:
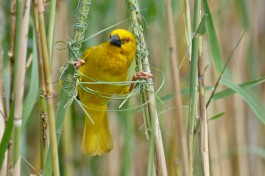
<point x="107" y="62"/>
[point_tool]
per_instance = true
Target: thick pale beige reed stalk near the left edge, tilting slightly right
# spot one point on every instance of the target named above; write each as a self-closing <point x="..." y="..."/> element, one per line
<point x="20" y="62"/>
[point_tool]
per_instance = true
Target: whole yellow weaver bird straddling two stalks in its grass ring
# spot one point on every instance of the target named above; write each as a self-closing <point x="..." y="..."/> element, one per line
<point x="108" y="62"/>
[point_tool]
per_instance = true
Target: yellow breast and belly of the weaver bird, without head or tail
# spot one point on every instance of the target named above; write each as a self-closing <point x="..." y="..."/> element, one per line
<point x="104" y="65"/>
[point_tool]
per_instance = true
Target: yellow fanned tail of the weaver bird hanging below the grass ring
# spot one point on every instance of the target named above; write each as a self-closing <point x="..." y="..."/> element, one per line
<point x="96" y="139"/>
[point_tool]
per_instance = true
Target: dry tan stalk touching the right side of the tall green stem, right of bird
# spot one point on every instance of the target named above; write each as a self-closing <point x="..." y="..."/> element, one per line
<point x="204" y="139"/>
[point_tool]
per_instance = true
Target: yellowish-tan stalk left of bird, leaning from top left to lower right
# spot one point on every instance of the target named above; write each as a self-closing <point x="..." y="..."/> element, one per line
<point x="49" y="94"/>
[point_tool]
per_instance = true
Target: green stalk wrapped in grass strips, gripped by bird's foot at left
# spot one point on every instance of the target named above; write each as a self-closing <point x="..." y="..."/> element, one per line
<point x="68" y="72"/>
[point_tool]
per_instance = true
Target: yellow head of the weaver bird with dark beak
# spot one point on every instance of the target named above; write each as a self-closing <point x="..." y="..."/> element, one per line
<point x="124" y="40"/>
